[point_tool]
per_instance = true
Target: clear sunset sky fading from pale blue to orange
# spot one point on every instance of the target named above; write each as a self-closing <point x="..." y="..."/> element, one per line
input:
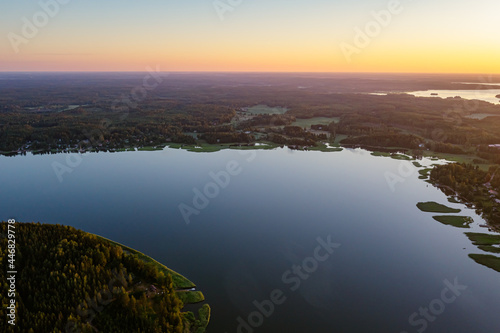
<point x="410" y="36"/>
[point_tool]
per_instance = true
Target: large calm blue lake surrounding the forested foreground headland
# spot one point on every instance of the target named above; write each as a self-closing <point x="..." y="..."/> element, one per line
<point x="279" y="240"/>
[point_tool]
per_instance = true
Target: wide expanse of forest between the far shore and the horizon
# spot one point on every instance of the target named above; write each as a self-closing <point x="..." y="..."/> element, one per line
<point x="100" y="112"/>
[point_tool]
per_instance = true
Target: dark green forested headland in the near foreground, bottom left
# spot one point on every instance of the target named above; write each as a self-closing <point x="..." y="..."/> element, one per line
<point x="97" y="285"/>
